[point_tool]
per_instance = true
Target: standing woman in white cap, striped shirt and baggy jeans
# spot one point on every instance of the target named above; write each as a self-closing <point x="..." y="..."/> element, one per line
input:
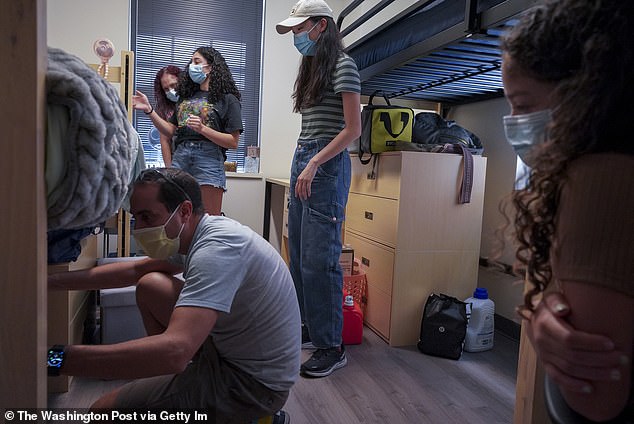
<point x="326" y="93"/>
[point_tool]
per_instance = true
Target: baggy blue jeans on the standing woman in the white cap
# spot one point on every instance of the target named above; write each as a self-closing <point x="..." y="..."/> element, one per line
<point x="314" y="236"/>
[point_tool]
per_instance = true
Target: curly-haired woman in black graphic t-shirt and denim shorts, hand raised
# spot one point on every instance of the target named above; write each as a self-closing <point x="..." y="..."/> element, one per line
<point x="207" y="122"/>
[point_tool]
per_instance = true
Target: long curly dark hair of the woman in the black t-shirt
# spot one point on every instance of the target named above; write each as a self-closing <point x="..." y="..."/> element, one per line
<point x="221" y="81"/>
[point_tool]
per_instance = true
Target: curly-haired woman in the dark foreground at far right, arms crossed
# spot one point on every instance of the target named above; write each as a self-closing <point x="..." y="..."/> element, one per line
<point x="567" y="72"/>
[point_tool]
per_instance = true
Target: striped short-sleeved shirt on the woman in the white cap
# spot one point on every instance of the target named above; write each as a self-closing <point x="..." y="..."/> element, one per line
<point x="325" y="119"/>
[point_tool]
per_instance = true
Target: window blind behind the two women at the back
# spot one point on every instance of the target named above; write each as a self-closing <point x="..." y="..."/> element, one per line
<point x="167" y="32"/>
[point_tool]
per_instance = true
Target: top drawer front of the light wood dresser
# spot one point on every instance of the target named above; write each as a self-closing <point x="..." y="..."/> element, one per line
<point x="387" y="180"/>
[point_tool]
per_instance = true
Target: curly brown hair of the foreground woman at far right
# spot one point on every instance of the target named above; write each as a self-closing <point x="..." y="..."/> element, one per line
<point x="584" y="47"/>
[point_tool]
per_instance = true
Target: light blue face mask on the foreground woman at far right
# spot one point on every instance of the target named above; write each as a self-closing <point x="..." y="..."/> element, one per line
<point x="523" y="132"/>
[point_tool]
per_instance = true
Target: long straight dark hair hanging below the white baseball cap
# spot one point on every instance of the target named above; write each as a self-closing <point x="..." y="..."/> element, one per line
<point x="315" y="72"/>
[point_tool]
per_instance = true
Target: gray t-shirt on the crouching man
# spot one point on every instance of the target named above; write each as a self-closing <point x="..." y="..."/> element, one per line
<point x="231" y="269"/>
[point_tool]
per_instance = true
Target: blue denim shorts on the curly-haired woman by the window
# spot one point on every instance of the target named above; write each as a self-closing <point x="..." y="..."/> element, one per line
<point x="203" y="160"/>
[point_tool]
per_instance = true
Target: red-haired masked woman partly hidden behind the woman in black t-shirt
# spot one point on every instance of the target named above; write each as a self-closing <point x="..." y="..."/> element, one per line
<point x="165" y="85"/>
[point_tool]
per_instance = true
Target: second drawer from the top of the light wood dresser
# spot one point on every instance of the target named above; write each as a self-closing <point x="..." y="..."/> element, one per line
<point x="375" y="217"/>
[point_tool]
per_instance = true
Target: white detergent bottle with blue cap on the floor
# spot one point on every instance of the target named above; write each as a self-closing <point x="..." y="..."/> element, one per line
<point x="480" y="328"/>
